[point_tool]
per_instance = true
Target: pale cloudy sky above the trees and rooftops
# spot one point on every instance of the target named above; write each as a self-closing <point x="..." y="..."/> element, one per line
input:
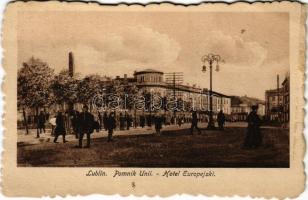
<point x="255" y="46"/>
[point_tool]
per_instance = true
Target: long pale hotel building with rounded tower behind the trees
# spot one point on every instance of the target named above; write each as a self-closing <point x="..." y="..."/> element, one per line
<point x="150" y="80"/>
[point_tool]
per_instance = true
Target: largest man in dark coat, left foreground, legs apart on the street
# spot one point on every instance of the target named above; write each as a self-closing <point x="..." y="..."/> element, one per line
<point x="86" y="120"/>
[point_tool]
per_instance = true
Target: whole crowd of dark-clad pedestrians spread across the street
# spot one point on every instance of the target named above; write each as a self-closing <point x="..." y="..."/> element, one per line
<point x="85" y="123"/>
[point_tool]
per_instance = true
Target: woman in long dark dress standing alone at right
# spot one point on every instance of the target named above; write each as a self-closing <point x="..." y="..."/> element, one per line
<point x="253" y="134"/>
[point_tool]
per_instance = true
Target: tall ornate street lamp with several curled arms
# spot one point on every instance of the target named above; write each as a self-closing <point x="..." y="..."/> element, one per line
<point x="211" y="59"/>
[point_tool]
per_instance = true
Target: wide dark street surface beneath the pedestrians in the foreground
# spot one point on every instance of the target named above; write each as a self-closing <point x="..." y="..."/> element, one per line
<point x="173" y="148"/>
